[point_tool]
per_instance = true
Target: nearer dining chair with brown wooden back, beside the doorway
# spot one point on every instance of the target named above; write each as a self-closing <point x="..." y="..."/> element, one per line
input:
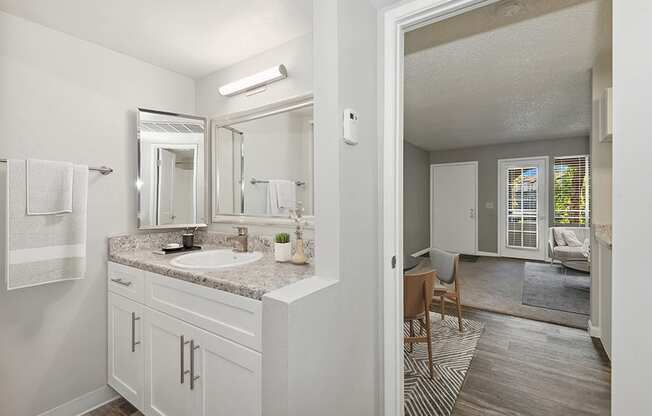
<point x="417" y="298"/>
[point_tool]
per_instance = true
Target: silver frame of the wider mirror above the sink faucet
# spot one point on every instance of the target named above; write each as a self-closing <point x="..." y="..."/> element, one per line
<point x="282" y="106"/>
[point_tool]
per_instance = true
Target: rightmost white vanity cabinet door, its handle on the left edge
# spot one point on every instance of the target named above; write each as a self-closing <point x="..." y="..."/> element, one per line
<point x="229" y="377"/>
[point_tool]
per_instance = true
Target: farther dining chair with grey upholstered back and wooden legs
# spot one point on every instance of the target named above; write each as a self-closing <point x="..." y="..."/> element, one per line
<point x="446" y="265"/>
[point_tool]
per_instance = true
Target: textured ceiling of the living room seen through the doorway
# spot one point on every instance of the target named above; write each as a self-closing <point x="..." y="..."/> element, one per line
<point x="486" y="77"/>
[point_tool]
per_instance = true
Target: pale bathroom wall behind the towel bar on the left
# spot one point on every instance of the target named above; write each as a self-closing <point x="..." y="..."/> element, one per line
<point x="62" y="98"/>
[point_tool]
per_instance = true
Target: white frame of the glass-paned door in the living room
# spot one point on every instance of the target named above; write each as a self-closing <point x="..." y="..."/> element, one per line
<point x="501" y="207"/>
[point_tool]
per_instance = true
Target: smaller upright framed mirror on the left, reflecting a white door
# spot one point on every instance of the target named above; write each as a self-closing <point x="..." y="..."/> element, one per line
<point x="170" y="170"/>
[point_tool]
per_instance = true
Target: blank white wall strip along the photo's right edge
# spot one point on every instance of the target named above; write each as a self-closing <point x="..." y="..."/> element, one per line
<point x="632" y="169"/>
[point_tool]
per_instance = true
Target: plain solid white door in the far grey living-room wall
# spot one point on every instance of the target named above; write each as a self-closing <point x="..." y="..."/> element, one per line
<point x="453" y="207"/>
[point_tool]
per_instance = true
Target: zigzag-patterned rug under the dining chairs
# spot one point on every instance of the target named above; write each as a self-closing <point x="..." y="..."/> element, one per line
<point x="452" y="353"/>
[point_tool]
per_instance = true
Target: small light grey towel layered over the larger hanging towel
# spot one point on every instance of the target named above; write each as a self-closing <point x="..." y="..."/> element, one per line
<point x="49" y="187"/>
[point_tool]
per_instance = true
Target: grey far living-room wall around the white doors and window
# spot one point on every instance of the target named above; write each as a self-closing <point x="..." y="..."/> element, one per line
<point x="487" y="157"/>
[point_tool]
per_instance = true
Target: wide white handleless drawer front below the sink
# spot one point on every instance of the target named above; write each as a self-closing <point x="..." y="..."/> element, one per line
<point x="234" y="317"/>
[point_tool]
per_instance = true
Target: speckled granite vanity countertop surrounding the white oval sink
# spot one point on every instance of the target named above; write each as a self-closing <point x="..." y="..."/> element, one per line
<point x="251" y="280"/>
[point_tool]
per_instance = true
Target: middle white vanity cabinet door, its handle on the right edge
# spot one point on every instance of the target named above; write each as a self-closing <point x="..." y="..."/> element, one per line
<point x="167" y="391"/>
